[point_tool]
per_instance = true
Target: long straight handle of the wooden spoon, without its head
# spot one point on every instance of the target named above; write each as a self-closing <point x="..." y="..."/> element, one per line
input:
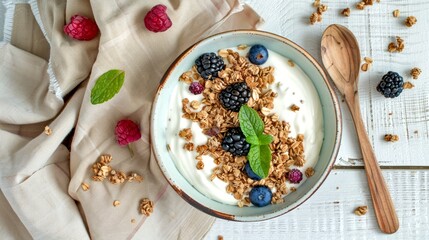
<point x="381" y="199"/>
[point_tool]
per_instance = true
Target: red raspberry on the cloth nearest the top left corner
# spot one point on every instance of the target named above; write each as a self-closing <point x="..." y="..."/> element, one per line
<point x="81" y="28"/>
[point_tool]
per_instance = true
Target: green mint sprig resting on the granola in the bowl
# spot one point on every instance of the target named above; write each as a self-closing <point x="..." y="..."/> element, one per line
<point x="259" y="155"/>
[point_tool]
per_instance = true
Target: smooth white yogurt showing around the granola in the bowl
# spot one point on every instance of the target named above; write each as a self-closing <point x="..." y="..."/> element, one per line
<point x="292" y="86"/>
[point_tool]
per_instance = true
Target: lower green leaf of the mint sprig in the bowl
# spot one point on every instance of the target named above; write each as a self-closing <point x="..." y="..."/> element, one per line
<point x="259" y="158"/>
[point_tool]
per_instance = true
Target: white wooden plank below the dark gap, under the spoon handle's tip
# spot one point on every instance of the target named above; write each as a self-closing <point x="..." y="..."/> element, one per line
<point x="328" y="214"/>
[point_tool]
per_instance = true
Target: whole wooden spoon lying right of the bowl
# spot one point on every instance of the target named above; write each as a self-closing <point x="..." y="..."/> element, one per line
<point x="341" y="58"/>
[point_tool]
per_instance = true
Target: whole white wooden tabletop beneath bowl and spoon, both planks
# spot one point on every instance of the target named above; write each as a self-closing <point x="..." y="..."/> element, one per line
<point x="328" y="214"/>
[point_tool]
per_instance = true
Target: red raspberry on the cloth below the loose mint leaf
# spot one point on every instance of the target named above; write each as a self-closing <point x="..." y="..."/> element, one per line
<point x="127" y="131"/>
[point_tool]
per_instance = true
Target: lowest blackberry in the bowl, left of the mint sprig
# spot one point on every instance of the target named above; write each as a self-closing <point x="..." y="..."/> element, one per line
<point x="234" y="142"/>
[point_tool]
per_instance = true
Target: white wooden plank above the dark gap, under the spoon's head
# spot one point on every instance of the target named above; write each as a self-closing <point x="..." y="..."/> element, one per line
<point x="374" y="27"/>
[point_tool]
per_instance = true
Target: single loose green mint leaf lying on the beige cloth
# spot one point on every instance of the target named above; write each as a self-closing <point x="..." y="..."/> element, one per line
<point x="107" y="86"/>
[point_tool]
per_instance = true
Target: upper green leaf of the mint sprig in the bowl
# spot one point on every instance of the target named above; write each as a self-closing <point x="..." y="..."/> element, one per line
<point x="250" y="122"/>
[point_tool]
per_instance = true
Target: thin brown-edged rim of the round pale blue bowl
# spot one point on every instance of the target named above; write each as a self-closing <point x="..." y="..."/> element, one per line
<point x="338" y="130"/>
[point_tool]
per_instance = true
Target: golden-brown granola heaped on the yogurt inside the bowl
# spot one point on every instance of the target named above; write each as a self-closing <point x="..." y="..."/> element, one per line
<point x="214" y="120"/>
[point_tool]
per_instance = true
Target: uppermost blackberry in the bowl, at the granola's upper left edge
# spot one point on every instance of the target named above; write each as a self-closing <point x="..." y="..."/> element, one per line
<point x="208" y="65"/>
